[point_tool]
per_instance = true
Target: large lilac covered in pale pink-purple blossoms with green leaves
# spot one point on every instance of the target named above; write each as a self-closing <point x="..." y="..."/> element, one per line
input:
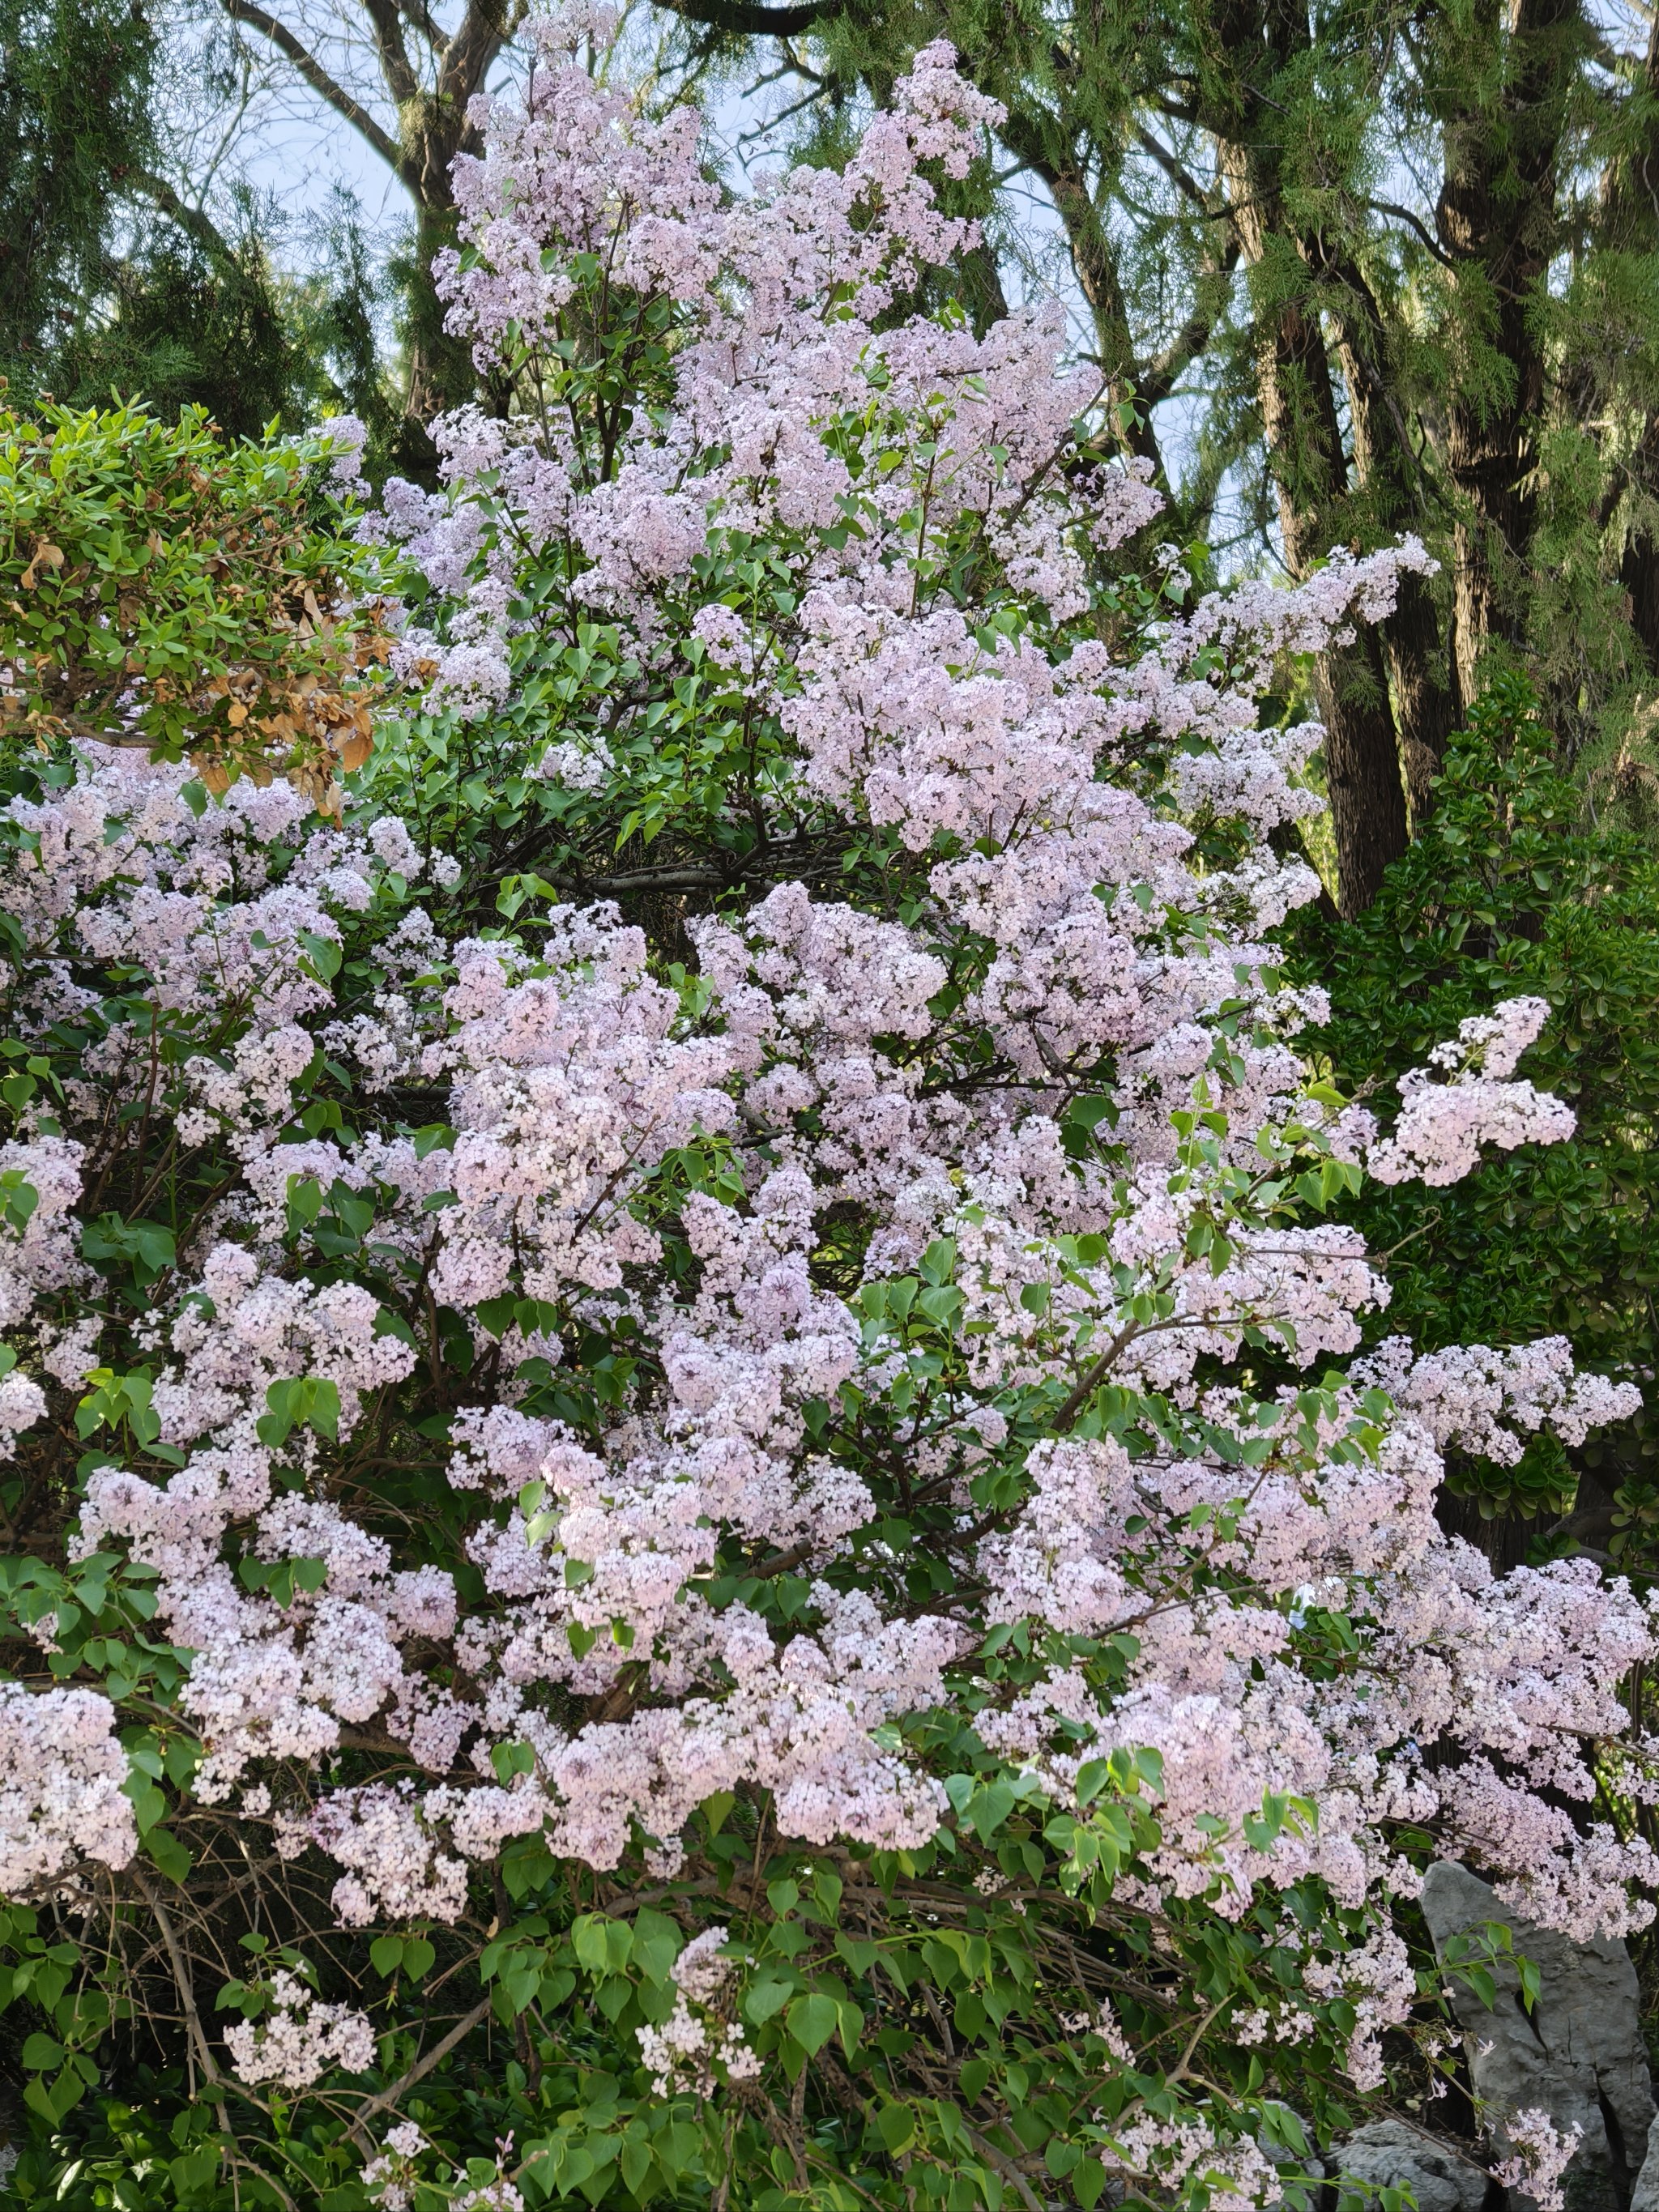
<point x="733" y="1527"/>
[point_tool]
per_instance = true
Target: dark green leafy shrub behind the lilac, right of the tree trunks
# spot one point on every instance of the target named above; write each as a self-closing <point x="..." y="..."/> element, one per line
<point x="1514" y="888"/>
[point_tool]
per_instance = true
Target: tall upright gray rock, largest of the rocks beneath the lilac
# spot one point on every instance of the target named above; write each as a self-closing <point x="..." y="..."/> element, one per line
<point x="1578" y="2054"/>
